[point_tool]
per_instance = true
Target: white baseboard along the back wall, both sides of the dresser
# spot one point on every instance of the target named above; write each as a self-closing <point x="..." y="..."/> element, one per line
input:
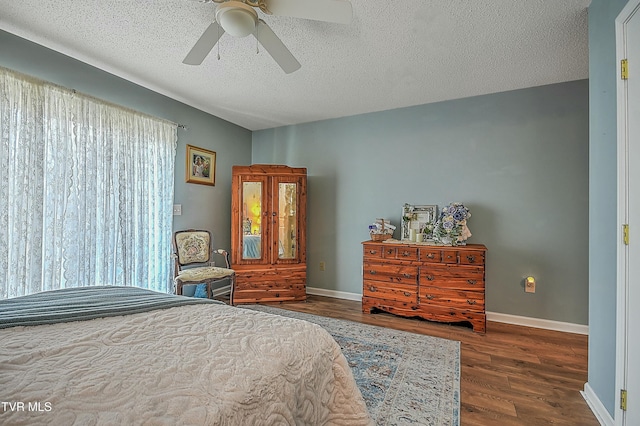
<point x="491" y="316"/>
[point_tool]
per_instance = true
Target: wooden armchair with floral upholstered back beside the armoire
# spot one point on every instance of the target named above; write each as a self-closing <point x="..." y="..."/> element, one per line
<point x="192" y="248"/>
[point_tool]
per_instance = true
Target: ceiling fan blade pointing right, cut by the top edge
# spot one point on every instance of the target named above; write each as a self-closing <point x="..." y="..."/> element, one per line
<point x="338" y="11"/>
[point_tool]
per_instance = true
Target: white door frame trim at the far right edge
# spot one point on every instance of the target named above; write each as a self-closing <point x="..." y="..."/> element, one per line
<point x="622" y="281"/>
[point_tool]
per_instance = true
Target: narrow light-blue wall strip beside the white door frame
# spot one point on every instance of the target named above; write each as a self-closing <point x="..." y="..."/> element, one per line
<point x="603" y="200"/>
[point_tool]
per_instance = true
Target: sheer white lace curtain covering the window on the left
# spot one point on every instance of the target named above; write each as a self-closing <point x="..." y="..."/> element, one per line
<point x="86" y="191"/>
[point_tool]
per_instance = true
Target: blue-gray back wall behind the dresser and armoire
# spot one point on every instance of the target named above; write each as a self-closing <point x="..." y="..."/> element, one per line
<point x="518" y="160"/>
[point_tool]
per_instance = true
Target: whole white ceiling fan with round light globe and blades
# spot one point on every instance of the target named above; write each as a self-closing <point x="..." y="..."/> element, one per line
<point x="239" y="18"/>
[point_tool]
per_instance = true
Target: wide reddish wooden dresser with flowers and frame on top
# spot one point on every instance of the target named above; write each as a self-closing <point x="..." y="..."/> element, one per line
<point x="438" y="283"/>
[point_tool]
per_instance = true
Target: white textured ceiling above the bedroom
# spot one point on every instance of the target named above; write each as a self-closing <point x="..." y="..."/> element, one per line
<point x="395" y="53"/>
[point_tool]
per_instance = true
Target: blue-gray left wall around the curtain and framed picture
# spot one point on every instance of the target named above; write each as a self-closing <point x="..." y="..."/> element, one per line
<point x="203" y="207"/>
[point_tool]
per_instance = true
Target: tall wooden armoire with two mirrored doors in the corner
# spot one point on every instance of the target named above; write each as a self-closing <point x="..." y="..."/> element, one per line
<point x="268" y="233"/>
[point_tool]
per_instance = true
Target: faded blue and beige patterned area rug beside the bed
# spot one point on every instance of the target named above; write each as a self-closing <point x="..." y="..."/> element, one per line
<point x="405" y="378"/>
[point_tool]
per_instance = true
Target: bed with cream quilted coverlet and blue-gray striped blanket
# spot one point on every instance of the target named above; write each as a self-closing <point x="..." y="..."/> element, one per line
<point x="123" y="355"/>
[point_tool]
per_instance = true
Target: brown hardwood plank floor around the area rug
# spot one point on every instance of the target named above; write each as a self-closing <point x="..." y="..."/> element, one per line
<point x="512" y="375"/>
